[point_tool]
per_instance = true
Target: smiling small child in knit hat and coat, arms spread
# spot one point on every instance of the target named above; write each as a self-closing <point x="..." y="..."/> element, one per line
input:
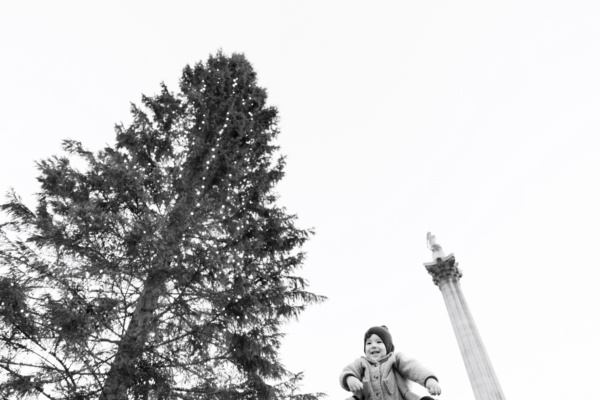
<point x="381" y="374"/>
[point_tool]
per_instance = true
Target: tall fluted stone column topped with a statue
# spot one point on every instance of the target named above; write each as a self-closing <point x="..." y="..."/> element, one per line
<point x="446" y="275"/>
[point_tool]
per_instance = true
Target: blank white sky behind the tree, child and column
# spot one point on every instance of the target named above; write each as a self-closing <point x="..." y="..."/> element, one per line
<point x="478" y="121"/>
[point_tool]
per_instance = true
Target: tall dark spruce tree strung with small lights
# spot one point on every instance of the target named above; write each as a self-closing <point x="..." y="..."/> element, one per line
<point x="163" y="269"/>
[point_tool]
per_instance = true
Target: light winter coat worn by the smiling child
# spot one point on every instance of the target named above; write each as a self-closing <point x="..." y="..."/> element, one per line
<point x="378" y="377"/>
